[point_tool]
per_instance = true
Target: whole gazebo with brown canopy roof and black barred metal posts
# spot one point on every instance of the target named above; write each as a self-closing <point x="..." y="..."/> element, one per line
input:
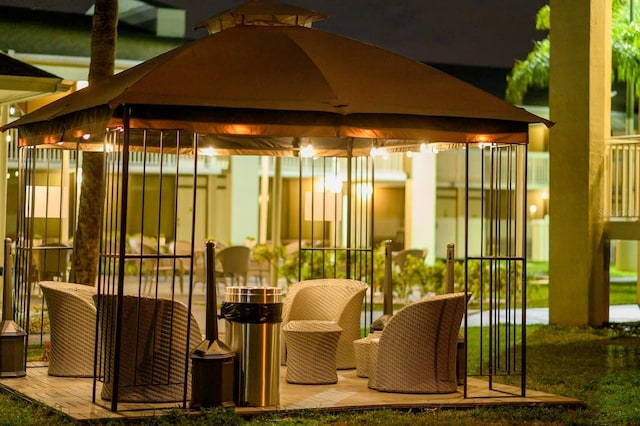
<point x="264" y="83"/>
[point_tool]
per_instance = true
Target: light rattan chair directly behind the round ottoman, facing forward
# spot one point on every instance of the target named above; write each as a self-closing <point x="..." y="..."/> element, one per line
<point x="330" y="299"/>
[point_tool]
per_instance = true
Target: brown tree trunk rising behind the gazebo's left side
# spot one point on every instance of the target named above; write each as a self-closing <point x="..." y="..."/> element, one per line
<point x="86" y="245"/>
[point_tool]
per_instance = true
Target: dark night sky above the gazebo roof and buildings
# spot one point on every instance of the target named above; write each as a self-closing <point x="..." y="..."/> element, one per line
<point x="490" y="33"/>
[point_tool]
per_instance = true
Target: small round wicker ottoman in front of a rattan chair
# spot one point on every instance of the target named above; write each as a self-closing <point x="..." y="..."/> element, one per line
<point x="311" y="351"/>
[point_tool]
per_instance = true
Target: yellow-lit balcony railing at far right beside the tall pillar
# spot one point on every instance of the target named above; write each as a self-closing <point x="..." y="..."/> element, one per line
<point x="622" y="178"/>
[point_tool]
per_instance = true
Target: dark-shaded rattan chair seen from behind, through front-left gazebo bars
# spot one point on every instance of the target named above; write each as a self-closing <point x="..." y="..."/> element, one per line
<point x="154" y="349"/>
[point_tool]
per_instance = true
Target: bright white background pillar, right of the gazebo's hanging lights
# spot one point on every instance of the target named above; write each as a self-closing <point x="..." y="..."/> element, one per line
<point x="420" y="205"/>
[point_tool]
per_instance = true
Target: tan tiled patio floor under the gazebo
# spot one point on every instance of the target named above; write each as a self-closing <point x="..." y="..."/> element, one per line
<point x="73" y="397"/>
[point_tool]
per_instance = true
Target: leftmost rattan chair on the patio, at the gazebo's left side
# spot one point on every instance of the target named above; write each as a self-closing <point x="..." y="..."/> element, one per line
<point x="72" y="322"/>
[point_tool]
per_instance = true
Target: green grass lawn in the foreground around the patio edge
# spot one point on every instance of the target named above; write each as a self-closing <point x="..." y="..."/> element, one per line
<point x="599" y="367"/>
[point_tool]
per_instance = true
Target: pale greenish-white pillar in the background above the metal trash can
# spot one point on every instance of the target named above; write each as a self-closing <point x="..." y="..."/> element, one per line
<point x="245" y="191"/>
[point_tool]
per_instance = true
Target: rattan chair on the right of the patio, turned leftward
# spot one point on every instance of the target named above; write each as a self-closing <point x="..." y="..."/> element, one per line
<point x="416" y="352"/>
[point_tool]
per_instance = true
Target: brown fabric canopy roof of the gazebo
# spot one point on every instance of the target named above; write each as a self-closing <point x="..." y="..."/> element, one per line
<point x="256" y="86"/>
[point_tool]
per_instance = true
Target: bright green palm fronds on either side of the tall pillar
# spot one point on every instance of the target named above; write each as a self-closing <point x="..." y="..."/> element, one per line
<point x="533" y="72"/>
